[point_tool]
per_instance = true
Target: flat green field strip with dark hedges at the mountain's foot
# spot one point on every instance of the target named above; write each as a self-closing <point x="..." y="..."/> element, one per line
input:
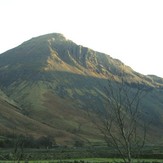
<point x="74" y="154"/>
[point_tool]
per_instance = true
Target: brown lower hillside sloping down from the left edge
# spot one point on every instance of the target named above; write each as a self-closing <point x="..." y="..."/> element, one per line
<point x="12" y="121"/>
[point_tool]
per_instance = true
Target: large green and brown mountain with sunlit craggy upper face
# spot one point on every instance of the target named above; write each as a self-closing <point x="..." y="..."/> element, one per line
<point x="51" y="82"/>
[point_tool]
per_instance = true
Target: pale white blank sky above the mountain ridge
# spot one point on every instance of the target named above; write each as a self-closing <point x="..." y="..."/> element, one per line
<point x="129" y="30"/>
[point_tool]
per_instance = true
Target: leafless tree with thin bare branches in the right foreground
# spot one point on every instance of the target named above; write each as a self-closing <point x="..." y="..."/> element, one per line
<point x="121" y="121"/>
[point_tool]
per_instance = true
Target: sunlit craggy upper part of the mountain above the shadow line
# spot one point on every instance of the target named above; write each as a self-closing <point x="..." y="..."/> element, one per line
<point x="53" y="52"/>
